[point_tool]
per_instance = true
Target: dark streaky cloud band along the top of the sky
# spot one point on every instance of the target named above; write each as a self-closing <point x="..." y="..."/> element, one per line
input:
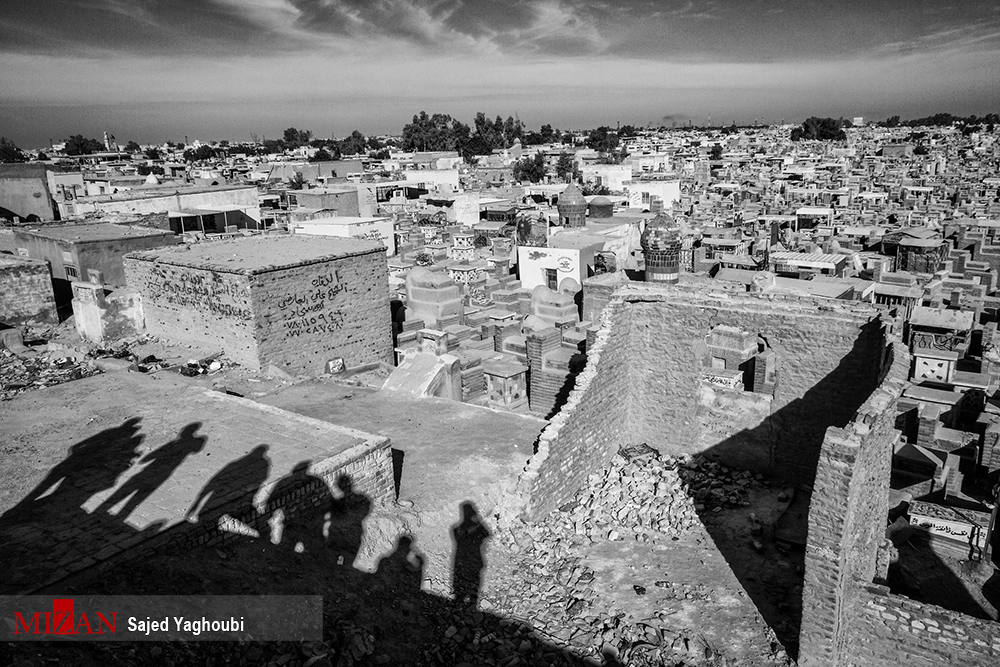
<point x="679" y="30"/>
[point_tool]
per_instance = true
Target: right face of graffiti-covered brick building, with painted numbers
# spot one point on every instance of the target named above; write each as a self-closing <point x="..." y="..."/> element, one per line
<point x="307" y="315"/>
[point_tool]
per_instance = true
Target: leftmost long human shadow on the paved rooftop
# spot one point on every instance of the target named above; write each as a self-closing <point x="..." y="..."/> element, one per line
<point x="49" y="524"/>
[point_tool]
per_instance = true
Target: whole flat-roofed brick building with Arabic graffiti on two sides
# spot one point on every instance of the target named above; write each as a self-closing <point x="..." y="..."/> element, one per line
<point x="296" y="302"/>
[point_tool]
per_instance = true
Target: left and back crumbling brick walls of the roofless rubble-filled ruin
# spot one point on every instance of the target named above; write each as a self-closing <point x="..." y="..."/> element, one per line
<point x="830" y="358"/>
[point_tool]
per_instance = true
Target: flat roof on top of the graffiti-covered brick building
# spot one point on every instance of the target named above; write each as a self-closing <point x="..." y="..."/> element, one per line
<point x="259" y="254"/>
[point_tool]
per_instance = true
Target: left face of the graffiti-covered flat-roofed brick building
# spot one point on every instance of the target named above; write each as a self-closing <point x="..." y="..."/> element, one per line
<point x="197" y="306"/>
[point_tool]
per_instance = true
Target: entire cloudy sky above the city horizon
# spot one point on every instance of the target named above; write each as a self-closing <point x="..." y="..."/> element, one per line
<point x="158" y="70"/>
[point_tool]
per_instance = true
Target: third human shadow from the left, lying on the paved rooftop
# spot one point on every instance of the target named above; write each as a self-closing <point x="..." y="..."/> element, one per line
<point x="232" y="490"/>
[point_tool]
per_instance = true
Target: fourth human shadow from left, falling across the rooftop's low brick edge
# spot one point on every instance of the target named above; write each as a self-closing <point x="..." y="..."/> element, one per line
<point x="302" y="526"/>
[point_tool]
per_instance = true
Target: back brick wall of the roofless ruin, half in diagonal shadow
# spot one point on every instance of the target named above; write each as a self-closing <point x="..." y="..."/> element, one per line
<point x="828" y="356"/>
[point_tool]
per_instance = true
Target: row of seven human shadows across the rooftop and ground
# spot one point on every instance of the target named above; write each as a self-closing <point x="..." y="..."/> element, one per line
<point x="51" y="527"/>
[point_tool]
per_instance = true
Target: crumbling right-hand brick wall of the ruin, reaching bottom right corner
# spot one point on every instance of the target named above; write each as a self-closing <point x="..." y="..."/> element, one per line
<point x="847" y="619"/>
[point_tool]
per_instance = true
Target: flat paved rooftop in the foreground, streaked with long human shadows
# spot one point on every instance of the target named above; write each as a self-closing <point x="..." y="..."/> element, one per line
<point x="100" y="465"/>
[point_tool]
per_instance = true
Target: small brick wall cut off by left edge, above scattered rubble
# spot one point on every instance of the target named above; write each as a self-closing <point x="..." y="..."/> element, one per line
<point x="25" y="291"/>
